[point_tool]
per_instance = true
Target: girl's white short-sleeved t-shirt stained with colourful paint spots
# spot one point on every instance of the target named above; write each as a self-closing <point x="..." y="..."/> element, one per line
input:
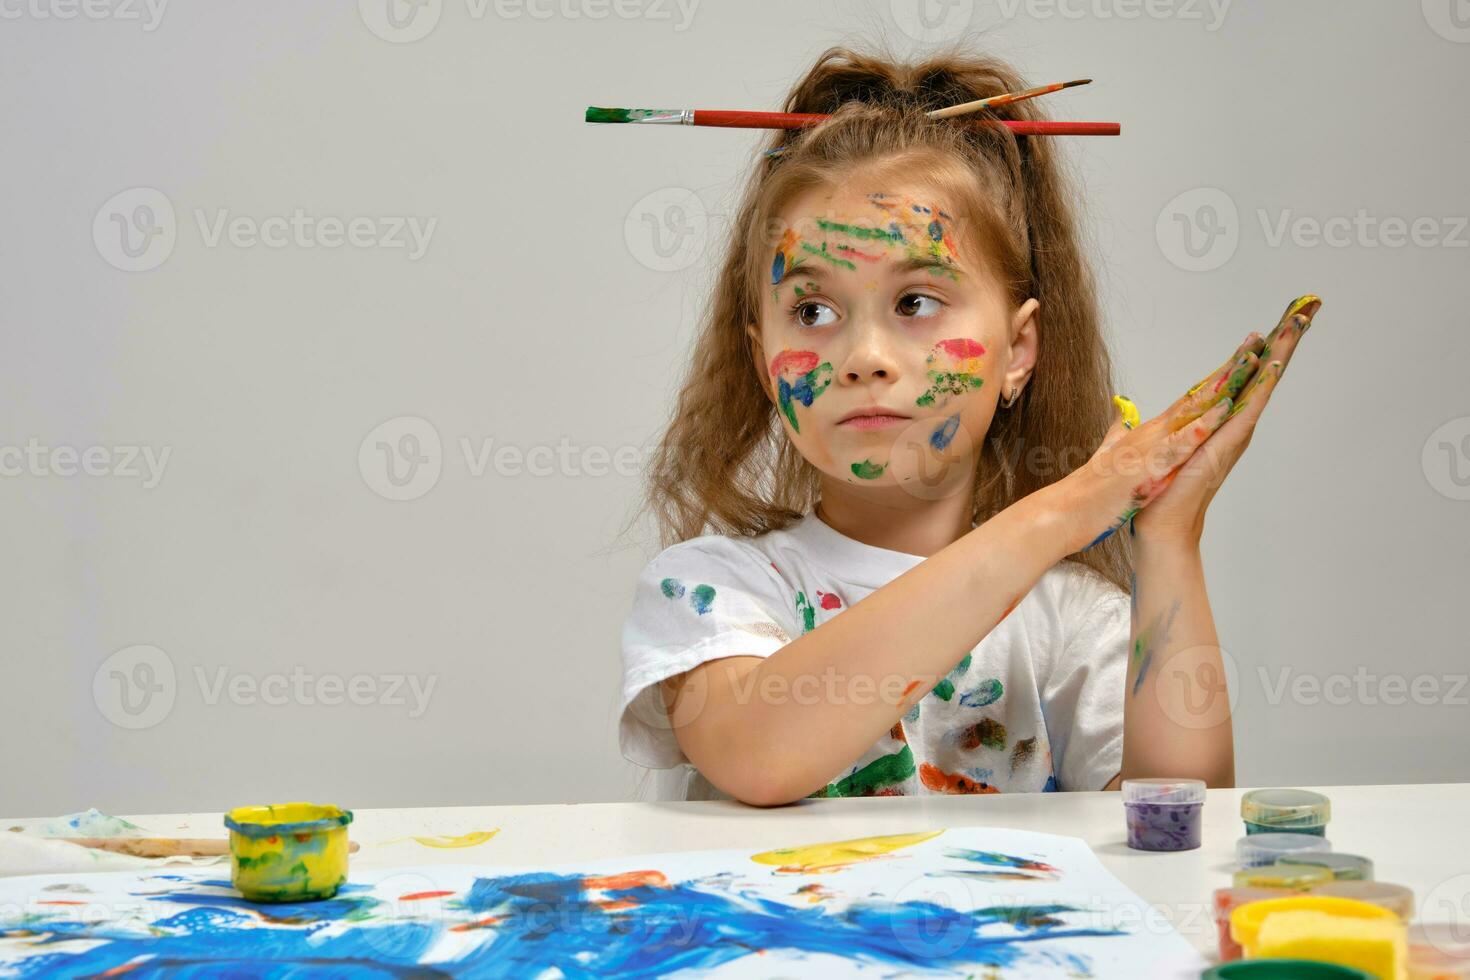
<point x="1037" y="706"/>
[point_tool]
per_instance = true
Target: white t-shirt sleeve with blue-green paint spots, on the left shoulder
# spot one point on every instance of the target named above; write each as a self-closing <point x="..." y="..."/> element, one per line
<point x="700" y="600"/>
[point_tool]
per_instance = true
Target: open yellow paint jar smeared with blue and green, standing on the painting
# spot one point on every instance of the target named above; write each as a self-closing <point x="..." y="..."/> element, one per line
<point x="289" y="853"/>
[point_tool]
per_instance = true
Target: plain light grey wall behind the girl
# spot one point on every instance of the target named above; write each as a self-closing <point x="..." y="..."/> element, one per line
<point x="545" y="311"/>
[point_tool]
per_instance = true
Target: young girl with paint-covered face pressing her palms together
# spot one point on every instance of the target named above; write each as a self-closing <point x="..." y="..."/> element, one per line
<point x="897" y="422"/>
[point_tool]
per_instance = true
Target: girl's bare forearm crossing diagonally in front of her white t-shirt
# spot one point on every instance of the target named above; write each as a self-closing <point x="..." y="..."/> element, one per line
<point x="825" y="699"/>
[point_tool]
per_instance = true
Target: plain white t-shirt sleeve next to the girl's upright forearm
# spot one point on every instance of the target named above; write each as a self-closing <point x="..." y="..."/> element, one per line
<point x="1083" y="699"/>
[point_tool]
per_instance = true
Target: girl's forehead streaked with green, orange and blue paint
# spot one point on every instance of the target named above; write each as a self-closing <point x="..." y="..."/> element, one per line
<point x="899" y="230"/>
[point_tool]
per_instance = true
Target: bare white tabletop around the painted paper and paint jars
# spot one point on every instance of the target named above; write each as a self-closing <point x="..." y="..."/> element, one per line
<point x="1418" y="835"/>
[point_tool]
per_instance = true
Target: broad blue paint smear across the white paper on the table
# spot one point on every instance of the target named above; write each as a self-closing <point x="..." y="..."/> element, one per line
<point x="548" y="922"/>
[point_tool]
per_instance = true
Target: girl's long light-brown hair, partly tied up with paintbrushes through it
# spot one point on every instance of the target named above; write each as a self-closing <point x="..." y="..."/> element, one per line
<point x="724" y="464"/>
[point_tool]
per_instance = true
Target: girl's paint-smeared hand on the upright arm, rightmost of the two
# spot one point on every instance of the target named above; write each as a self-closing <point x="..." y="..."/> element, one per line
<point x="1178" y="512"/>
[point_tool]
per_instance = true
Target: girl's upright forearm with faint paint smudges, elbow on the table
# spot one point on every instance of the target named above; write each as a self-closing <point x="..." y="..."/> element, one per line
<point x="1177" y="709"/>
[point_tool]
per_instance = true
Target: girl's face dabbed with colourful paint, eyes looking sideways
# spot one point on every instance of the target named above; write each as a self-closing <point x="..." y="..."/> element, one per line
<point x="886" y="342"/>
